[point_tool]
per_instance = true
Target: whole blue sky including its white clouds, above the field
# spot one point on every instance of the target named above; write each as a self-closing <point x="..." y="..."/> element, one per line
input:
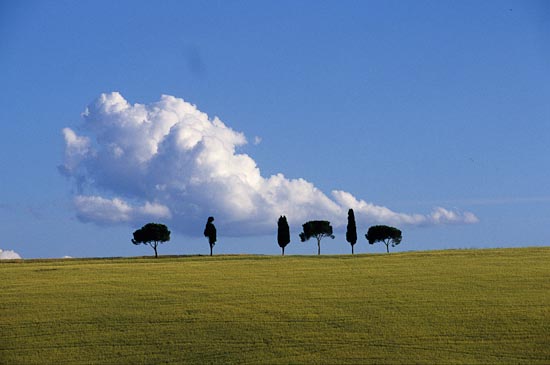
<point x="433" y="116"/>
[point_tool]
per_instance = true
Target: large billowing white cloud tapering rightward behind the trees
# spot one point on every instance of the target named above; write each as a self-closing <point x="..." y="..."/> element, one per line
<point x="170" y="162"/>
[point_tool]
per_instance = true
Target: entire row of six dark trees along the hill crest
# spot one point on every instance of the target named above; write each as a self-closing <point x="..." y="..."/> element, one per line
<point x="153" y="234"/>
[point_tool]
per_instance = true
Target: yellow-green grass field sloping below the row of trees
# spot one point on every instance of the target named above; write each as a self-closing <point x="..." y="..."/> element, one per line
<point x="466" y="306"/>
